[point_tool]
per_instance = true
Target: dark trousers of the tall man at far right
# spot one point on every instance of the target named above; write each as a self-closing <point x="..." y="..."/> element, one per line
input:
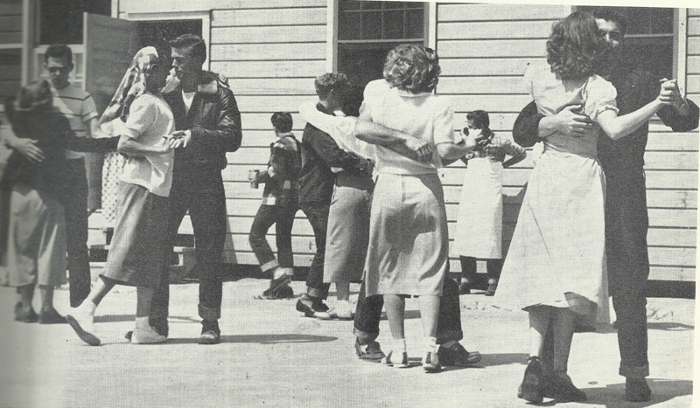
<point x="626" y="225"/>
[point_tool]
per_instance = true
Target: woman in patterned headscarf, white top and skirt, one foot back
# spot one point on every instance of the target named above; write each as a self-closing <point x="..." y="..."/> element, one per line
<point x="144" y="121"/>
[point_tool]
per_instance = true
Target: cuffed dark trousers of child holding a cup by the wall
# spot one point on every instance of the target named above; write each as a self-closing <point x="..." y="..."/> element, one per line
<point x="283" y="218"/>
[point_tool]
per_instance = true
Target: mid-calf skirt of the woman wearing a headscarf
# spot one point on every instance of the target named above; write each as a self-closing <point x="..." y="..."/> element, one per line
<point x="137" y="252"/>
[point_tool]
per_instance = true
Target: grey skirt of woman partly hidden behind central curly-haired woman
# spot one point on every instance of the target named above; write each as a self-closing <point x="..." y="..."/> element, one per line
<point x="348" y="232"/>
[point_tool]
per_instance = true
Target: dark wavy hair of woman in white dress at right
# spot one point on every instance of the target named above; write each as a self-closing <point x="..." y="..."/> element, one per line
<point x="574" y="46"/>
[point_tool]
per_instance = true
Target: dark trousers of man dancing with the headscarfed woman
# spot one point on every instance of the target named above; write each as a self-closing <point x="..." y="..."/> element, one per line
<point x="202" y="193"/>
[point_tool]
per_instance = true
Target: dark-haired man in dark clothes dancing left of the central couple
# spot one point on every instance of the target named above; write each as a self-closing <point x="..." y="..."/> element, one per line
<point x="320" y="154"/>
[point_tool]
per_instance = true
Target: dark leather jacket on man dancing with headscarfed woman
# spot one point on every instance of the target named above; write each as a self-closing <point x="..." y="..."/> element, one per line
<point x="214" y="120"/>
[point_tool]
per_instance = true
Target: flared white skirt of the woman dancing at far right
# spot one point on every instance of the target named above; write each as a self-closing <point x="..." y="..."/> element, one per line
<point x="557" y="255"/>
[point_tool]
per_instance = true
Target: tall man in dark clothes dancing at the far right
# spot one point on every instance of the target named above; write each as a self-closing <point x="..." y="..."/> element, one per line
<point x="626" y="218"/>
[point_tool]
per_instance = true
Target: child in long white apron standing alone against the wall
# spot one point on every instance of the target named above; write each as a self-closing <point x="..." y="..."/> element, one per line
<point x="480" y="216"/>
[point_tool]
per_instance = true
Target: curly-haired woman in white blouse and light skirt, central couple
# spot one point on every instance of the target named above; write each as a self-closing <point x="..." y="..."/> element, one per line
<point x="408" y="244"/>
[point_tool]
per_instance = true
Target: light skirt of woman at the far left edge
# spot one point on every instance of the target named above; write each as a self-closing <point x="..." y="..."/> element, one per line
<point x="36" y="249"/>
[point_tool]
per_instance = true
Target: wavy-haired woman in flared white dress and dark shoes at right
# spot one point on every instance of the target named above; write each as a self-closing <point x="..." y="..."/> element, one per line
<point x="555" y="267"/>
